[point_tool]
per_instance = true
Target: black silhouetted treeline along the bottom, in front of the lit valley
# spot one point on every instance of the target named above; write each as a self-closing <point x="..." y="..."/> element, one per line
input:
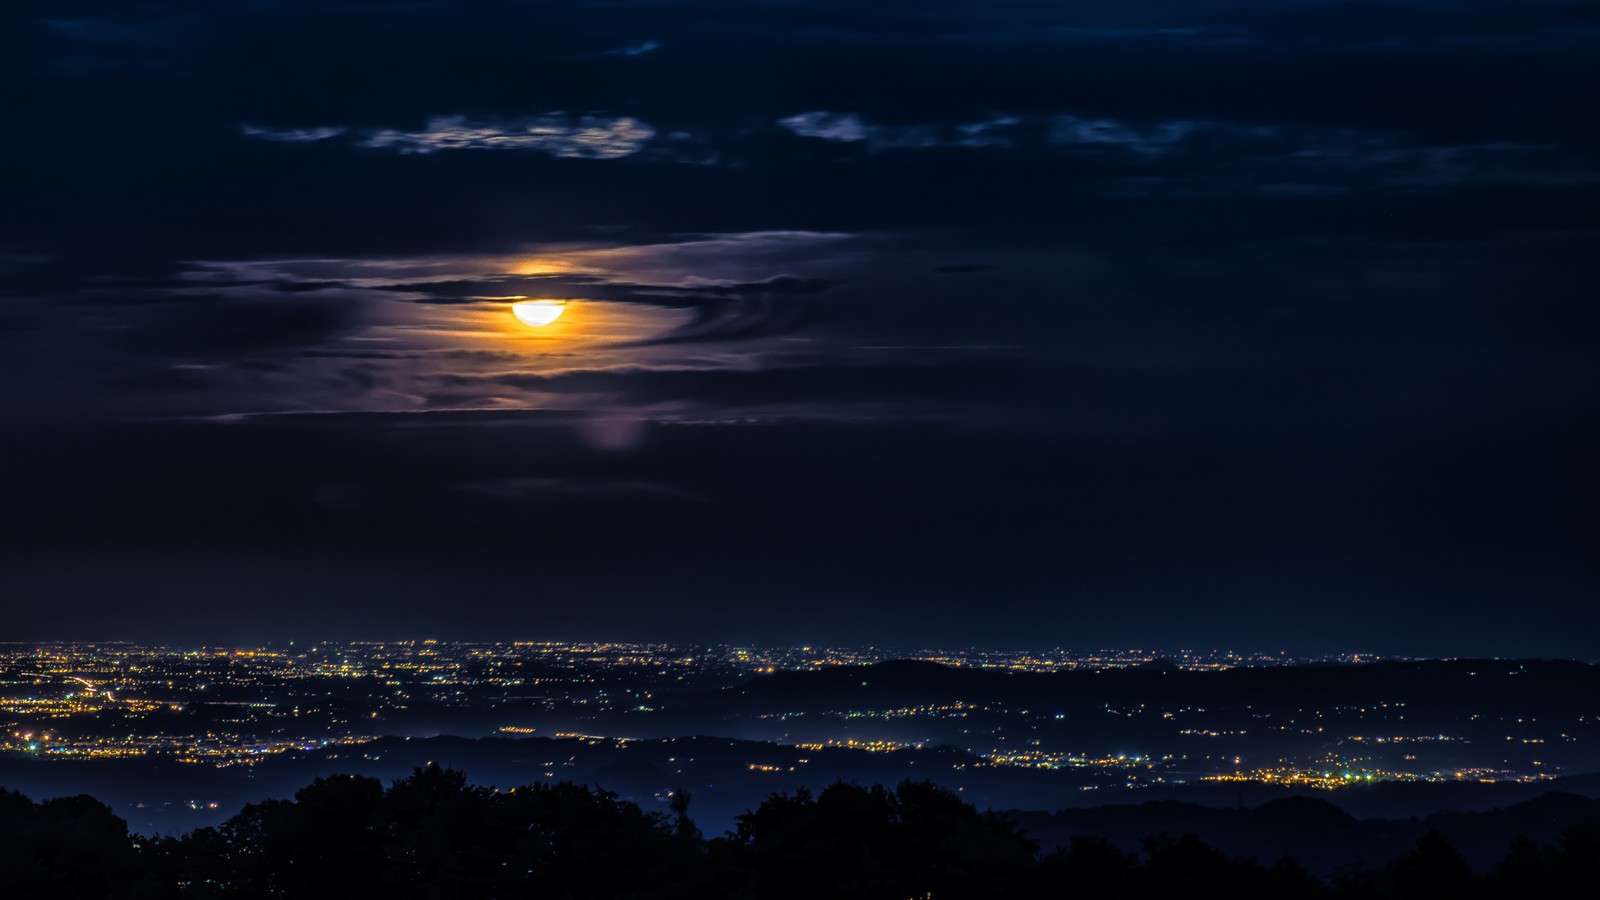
<point x="436" y="837"/>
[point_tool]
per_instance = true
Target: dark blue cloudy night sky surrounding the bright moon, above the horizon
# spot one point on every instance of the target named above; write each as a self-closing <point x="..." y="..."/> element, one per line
<point x="1162" y="323"/>
